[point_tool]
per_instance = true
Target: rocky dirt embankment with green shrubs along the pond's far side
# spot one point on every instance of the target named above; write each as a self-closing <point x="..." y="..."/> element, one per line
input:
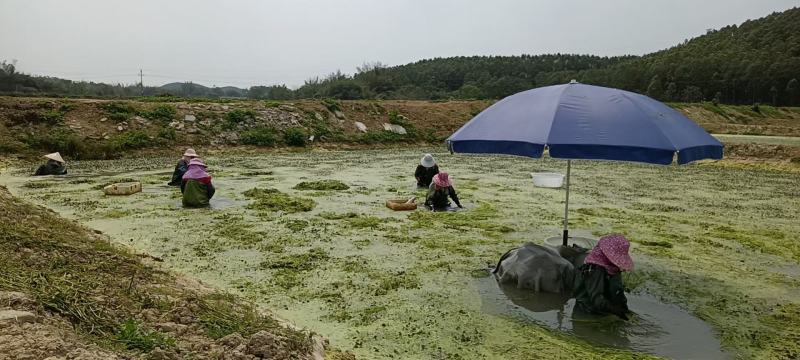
<point x="87" y="129"/>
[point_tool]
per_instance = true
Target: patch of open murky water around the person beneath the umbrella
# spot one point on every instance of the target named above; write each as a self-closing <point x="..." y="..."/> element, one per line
<point x="656" y="328"/>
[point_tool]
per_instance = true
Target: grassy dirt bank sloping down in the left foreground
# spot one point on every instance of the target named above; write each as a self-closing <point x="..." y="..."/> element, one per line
<point x="66" y="293"/>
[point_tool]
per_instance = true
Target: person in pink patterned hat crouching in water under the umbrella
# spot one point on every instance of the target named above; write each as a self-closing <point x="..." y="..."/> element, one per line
<point x="598" y="282"/>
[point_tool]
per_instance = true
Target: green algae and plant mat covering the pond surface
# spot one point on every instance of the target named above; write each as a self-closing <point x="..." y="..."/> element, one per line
<point x="307" y="235"/>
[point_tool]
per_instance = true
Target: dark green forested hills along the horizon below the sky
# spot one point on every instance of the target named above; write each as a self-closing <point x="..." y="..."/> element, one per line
<point x="757" y="61"/>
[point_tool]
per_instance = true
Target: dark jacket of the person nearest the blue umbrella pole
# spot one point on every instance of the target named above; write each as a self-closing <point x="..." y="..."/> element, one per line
<point x="598" y="292"/>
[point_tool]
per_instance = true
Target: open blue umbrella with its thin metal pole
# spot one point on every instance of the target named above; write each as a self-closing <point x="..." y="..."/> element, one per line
<point x="577" y="121"/>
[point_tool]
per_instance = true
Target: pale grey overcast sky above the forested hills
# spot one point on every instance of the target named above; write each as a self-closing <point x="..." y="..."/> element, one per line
<point x="251" y="42"/>
